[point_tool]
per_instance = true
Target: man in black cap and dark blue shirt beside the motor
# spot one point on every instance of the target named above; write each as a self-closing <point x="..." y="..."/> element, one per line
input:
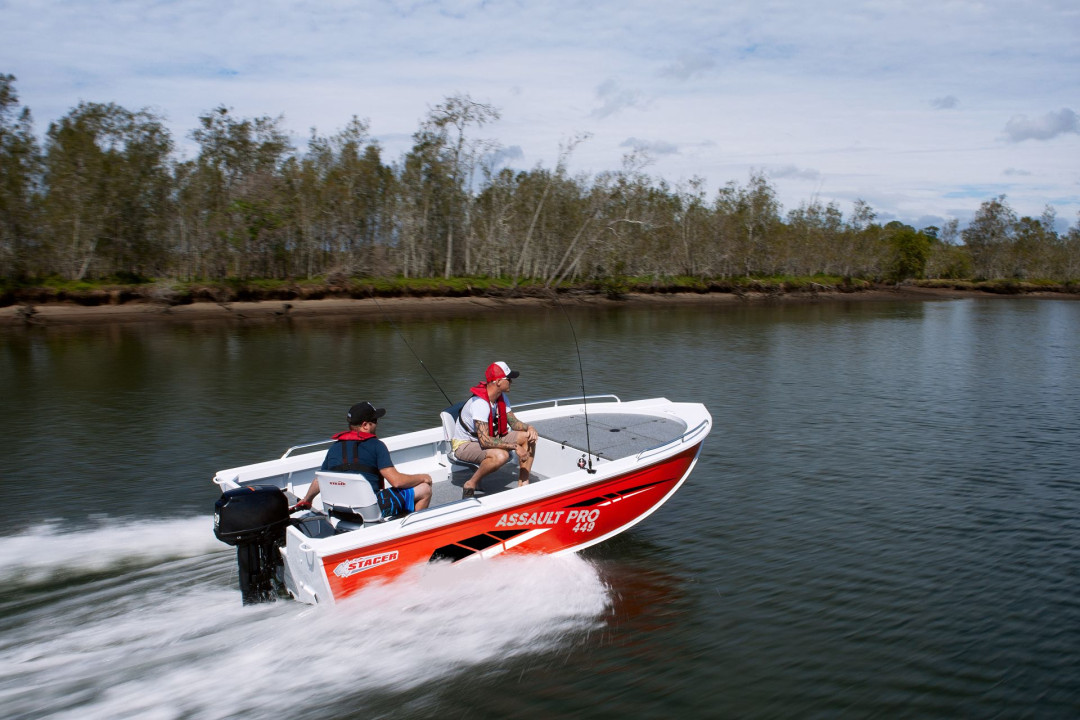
<point x="359" y="451"/>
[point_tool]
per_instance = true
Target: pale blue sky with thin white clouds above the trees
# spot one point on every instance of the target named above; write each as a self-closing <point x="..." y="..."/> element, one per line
<point x="923" y="110"/>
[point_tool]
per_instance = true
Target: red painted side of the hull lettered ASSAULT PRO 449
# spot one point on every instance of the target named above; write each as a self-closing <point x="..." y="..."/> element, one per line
<point x="569" y="522"/>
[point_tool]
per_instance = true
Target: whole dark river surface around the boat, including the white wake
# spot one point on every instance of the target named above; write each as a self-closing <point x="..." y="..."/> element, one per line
<point x="884" y="523"/>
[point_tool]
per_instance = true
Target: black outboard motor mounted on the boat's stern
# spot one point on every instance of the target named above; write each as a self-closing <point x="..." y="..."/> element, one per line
<point x="254" y="520"/>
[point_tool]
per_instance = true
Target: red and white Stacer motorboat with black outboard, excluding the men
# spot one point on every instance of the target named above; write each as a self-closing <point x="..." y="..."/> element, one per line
<point x="602" y="466"/>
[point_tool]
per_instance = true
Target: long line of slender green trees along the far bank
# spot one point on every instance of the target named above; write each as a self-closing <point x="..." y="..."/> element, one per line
<point x="105" y="197"/>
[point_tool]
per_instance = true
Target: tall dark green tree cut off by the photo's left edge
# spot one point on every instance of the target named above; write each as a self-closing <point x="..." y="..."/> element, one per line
<point x="20" y="181"/>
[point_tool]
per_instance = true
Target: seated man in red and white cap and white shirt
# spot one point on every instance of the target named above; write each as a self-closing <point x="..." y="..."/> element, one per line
<point x="488" y="432"/>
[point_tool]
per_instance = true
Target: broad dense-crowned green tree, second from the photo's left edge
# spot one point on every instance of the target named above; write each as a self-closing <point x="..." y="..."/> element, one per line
<point x="107" y="191"/>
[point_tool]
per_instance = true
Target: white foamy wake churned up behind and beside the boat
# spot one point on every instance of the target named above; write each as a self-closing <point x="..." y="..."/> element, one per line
<point x="171" y="640"/>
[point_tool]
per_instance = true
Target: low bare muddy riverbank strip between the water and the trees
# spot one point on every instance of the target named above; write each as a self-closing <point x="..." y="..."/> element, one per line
<point x="52" y="315"/>
